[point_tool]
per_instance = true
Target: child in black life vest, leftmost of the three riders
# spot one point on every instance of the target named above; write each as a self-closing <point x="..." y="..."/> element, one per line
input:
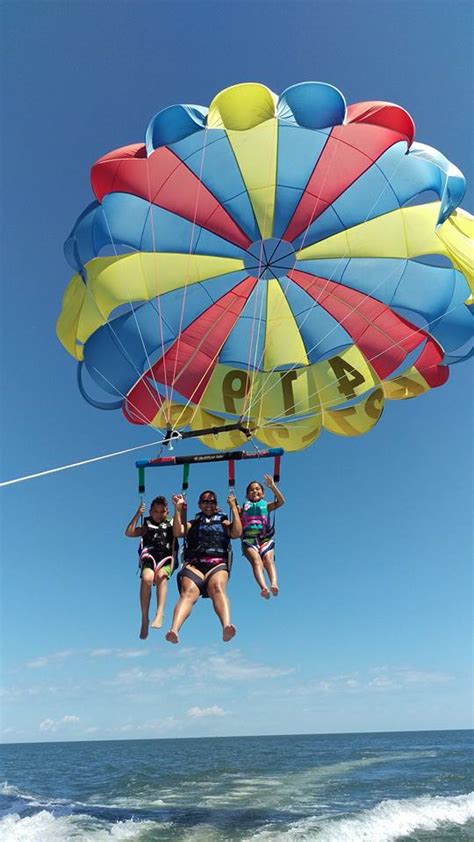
<point x="157" y="558"/>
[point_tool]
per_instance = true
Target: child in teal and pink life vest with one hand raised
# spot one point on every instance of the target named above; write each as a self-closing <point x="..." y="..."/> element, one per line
<point x="257" y="533"/>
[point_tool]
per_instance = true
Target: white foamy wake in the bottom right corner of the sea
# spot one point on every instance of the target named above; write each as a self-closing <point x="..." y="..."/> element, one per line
<point x="387" y="822"/>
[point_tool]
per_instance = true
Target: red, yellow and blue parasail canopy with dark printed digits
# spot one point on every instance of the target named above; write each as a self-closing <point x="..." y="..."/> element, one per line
<point x="271" y="260"/>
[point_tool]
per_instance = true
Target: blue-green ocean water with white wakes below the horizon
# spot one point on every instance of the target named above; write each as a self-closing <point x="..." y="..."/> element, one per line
<point x="330" y="788"/>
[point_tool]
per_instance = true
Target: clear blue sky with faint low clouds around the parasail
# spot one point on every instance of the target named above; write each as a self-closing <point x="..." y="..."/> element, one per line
<point x="372" y="630"/>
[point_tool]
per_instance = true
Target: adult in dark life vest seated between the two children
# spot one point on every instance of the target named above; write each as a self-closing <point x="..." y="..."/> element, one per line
<point x="207" y="559"/>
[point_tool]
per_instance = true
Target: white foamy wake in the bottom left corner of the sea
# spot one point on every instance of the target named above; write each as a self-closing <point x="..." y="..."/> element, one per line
<point x="44" y="826"/>
